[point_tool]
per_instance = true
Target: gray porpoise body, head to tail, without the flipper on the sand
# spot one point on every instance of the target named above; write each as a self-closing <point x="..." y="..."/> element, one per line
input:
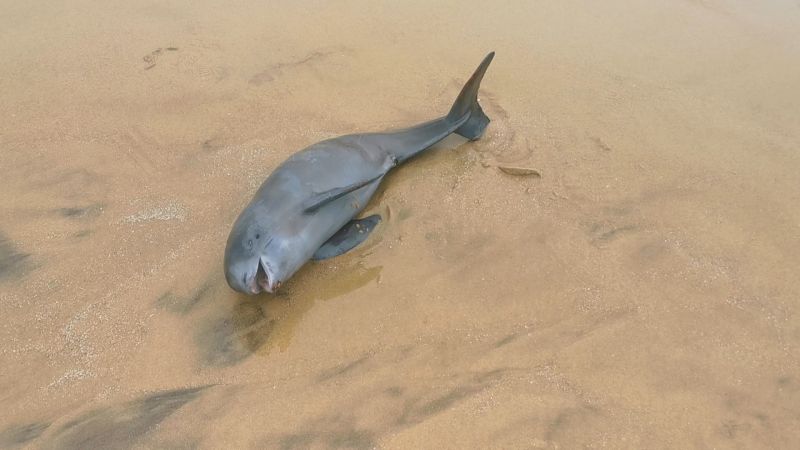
<point x="318" y="190"/>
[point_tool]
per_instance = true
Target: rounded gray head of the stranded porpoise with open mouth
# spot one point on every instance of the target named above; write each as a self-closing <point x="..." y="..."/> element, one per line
<point x="251" y="263"/>
